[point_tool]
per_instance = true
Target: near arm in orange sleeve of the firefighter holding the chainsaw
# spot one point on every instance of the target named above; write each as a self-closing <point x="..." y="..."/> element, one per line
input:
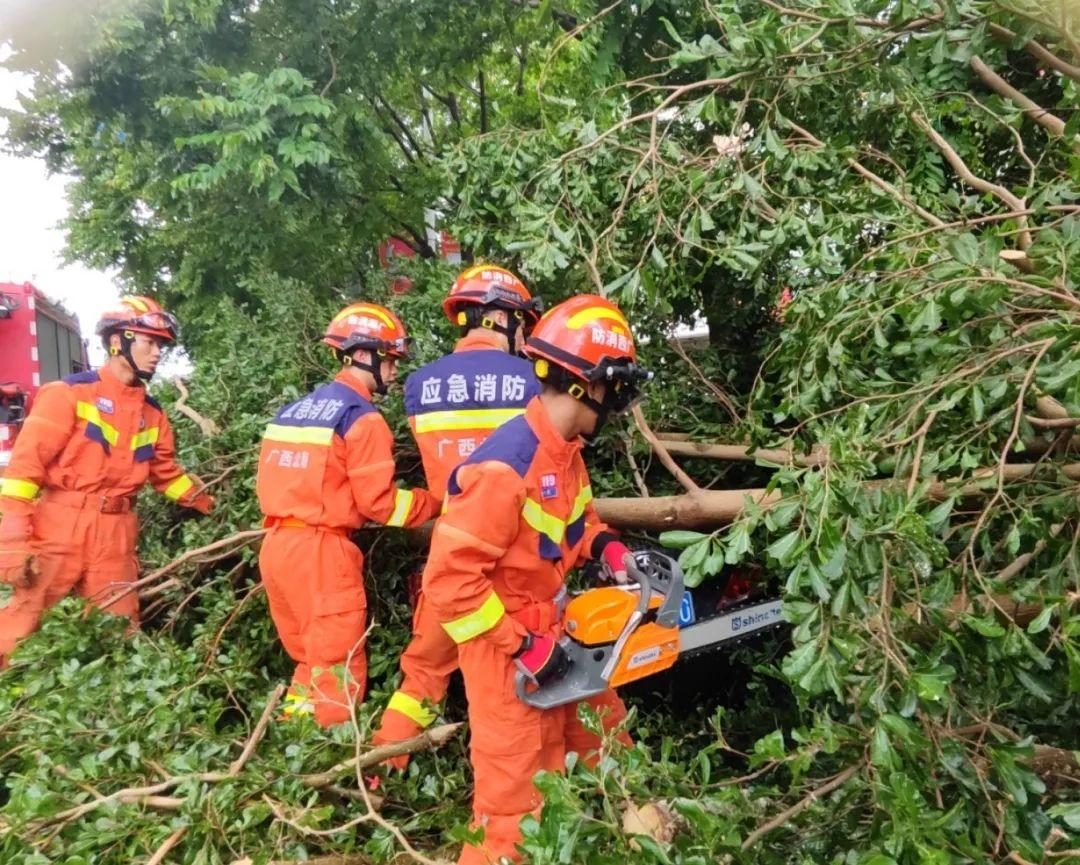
<point x="482" y="520"/>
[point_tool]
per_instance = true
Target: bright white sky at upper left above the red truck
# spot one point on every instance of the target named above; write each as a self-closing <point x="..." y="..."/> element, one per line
<point x="32" y="244"/>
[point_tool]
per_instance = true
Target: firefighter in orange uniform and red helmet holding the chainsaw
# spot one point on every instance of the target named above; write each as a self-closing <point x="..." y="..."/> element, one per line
<point x="519" y="518"/>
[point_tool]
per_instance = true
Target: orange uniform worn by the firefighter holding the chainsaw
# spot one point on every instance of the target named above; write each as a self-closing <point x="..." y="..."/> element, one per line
<point x="519" y="518"/>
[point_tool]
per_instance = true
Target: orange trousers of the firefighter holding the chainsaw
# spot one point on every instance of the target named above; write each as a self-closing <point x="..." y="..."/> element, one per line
<point x="511" y="742"/>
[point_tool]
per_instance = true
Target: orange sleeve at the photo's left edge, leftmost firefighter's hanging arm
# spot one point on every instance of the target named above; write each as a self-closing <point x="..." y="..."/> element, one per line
<point x="44" y="436"/>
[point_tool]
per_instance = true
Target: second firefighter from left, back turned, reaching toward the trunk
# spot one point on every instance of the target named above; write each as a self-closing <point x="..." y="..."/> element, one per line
<point x="327" y="467"/>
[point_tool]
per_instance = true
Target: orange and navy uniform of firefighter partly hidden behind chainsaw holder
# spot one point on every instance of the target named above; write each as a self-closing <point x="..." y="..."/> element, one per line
<point x="453" y="406"/>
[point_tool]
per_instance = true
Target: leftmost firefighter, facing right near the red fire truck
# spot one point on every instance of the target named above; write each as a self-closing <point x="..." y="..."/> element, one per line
<point x="91" y="442"/>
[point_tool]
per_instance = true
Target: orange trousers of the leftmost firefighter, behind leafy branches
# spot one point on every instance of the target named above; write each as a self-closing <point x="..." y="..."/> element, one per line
<point x="77" y="550"/>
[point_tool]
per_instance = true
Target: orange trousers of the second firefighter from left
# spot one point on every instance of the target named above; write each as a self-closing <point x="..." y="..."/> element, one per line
<point x="316" y="588"/>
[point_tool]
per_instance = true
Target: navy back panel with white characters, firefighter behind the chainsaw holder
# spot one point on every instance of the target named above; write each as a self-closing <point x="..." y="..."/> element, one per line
<point x="468" y="381"/>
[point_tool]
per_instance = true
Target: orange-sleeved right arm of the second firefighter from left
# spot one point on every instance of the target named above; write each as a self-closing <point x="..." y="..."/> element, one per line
<point x="370" y="462"/>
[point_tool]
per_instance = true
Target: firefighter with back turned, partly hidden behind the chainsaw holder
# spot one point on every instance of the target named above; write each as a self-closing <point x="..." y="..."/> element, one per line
<point x="453" y="406"/>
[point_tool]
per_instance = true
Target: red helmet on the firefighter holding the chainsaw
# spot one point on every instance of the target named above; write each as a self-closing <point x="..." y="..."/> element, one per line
<point x="590" y="340"/>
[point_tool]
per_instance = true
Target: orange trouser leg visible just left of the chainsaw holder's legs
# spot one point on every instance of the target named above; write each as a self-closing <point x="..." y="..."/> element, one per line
<point x="427" y="665"/>
